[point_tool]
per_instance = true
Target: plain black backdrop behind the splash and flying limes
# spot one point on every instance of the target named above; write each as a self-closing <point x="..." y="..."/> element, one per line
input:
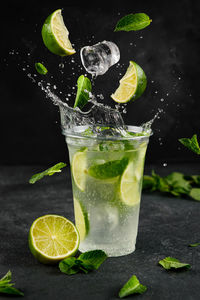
<point x="168" y="50"/>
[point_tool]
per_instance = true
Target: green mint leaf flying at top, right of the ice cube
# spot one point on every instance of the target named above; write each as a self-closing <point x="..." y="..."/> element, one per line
<point x="134" y="22"/>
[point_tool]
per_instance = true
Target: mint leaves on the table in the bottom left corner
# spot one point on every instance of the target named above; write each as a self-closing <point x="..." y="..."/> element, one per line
<point x="7" y="288"/>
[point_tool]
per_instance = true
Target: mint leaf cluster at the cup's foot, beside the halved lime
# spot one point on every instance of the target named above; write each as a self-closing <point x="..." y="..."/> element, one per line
<point x="86" y="262"/>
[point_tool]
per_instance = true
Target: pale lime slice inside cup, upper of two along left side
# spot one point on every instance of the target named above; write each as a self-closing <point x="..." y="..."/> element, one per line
<point x="79" y="169"/>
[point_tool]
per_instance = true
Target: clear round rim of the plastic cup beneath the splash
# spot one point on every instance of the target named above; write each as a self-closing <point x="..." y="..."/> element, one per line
<point x="78" y="134"/>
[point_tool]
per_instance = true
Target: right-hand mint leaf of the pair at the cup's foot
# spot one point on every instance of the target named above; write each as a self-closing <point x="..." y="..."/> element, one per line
<point x="93" y="258"/>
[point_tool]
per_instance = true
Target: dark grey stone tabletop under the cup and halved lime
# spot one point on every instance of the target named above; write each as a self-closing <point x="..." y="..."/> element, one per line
<point x="167" y="225"/>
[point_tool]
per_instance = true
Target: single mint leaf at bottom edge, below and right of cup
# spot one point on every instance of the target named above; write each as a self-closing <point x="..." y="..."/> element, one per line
<point x="133" y="286"/>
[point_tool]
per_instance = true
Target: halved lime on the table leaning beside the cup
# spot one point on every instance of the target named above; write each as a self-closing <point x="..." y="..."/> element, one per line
<point x="53" y="238"/>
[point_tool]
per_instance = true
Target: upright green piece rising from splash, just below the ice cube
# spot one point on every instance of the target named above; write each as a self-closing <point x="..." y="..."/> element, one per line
<point x="84" y="87"/>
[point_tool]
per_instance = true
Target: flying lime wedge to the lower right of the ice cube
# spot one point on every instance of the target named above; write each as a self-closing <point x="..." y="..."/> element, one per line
<point x="132" y="84"/>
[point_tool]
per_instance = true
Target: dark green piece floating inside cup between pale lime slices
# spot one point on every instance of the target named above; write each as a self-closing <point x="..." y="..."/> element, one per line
<point x="108" y="169"/>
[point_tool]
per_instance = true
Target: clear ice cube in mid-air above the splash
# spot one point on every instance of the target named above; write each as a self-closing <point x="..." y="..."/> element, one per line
<point x="97" y="59"/>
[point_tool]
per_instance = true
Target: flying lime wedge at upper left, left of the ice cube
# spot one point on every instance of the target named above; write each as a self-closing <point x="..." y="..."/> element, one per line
<point x="55" y="35"/>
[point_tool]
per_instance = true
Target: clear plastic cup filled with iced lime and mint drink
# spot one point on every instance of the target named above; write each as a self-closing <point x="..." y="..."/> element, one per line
<point x="107" y="177"/>
